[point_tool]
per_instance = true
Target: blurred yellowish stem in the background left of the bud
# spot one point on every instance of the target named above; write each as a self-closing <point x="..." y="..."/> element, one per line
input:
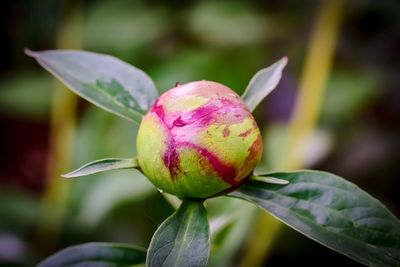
<point x="62" y="121"/>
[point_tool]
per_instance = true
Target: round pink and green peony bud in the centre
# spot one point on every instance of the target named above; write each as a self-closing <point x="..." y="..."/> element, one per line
<point x="199" y="139"/>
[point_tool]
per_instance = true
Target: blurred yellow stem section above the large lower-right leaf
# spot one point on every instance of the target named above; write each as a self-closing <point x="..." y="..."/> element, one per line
<point x="313" y="81"/>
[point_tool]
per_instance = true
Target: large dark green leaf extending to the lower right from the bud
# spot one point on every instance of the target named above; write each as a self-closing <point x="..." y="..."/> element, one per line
<point x="331" y="211"/>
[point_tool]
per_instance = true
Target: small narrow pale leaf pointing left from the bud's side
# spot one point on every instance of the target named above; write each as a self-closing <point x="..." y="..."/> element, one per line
<point x="102" y="165"/>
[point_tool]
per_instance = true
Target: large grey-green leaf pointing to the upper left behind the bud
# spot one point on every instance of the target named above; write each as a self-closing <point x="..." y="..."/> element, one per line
<point x="101" y="79"/>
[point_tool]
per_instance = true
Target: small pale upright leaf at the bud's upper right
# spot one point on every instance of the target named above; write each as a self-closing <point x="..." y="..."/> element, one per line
<point x="263" y="83"/>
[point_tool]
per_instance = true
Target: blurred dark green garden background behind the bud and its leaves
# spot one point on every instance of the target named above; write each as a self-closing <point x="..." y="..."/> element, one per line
<point x="46" y="131"/>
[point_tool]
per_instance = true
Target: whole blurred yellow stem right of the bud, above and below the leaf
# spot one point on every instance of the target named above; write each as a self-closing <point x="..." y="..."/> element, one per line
<point x="317" y="66"/>
